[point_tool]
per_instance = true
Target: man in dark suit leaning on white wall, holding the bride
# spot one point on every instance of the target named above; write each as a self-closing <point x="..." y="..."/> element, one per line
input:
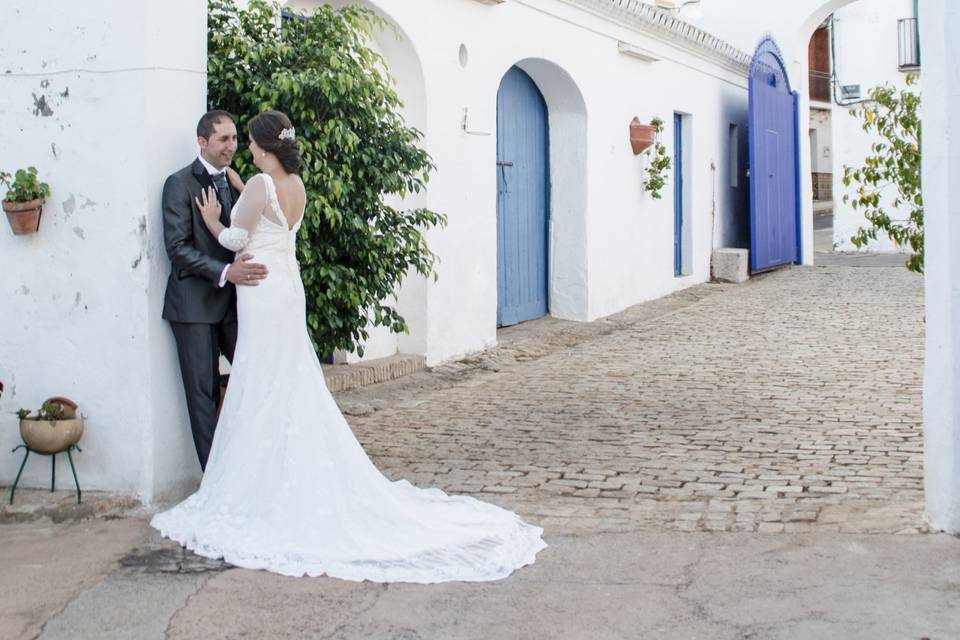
<point x="200" y="301"/>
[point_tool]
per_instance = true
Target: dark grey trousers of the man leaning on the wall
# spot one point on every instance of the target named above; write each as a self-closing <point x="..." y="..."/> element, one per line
<point x="199" y="346"/>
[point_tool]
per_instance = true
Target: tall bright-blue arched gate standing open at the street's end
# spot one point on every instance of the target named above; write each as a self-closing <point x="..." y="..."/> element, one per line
<point x="774" y="162"/>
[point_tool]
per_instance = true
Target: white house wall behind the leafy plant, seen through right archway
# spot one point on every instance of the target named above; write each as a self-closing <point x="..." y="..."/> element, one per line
<point x="866" y="54"/>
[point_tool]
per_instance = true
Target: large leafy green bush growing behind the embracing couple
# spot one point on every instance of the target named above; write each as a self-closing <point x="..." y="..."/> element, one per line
<point x="354" y="248"/>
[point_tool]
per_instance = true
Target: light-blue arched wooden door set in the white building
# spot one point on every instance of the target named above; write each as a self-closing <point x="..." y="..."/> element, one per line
<point x="522" y="200"/>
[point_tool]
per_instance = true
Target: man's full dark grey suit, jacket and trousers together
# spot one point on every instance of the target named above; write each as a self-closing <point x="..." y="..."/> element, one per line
<point x="203" y="314"/>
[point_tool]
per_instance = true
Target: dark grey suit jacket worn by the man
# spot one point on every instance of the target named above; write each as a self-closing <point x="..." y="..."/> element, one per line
<point x="197" y="259"/>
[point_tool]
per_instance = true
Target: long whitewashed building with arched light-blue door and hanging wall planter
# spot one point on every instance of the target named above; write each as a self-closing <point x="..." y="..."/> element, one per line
<point x="607" y="245"/>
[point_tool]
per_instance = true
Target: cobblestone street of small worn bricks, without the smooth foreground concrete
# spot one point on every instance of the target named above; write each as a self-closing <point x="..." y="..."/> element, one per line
<point x="791" y="403"/>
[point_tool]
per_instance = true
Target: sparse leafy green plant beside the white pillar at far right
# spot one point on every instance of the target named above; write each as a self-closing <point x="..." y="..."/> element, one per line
<point x="894" y="163"/>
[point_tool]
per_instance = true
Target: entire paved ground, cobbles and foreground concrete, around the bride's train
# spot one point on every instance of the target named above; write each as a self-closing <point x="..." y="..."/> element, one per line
<point x="730" y="462"/>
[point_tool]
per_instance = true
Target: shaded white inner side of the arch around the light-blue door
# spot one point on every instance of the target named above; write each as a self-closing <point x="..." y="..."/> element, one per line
<point x="567" y="113"/>
